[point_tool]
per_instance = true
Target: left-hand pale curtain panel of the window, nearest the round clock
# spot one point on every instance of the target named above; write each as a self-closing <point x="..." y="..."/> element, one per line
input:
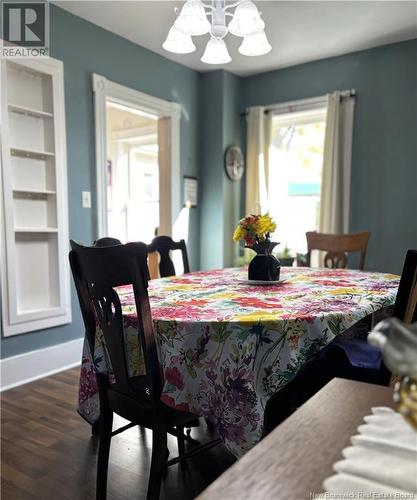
<point x="257" y="171"/>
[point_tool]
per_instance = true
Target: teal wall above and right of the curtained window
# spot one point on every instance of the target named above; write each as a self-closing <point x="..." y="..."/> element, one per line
<point x="384" y="158"/>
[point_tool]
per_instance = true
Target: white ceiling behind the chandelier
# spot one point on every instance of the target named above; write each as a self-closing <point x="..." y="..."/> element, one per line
<point x="299" y="31"/>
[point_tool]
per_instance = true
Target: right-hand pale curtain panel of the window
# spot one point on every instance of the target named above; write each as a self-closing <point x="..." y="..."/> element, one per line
<point x="335" y="187"/>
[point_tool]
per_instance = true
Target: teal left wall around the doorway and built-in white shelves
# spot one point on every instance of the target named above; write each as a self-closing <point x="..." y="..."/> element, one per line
<point x="85" y="49"/>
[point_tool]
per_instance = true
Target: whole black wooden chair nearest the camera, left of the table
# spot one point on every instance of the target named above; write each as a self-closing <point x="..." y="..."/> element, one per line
<point x="97" y="271"/>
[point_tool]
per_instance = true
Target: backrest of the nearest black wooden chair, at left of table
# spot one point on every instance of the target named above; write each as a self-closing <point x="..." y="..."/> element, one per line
<point x="97" y="271"/>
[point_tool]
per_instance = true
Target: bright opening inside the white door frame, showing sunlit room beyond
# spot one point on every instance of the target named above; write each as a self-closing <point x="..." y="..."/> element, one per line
<point x="133" y="208"/>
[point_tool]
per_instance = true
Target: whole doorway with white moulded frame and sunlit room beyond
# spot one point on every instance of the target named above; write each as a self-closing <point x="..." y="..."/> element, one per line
<point x="137" y="162"/>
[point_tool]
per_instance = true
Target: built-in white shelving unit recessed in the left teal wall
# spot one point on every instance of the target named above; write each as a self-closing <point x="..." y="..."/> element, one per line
<point x="34" y="215"/>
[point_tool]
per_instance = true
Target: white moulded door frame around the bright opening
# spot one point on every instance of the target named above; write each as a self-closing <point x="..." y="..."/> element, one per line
<point x="103" y="90"/>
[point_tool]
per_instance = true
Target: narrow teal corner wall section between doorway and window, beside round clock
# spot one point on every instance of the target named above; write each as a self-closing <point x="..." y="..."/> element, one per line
<point x="220" y="128"/>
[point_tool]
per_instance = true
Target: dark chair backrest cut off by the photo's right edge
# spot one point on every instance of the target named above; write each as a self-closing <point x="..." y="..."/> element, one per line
<point x="405" y="307"/>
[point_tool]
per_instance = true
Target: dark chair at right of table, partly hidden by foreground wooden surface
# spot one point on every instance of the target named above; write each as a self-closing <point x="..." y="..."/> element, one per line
<point x="333" y="361"/>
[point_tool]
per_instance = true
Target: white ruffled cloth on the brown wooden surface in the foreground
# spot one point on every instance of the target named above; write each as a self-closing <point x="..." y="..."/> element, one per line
<point x="382" y="460"/>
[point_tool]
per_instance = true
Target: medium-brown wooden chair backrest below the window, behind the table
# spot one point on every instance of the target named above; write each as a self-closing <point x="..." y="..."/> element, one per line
<point x="337" y="246"/>
